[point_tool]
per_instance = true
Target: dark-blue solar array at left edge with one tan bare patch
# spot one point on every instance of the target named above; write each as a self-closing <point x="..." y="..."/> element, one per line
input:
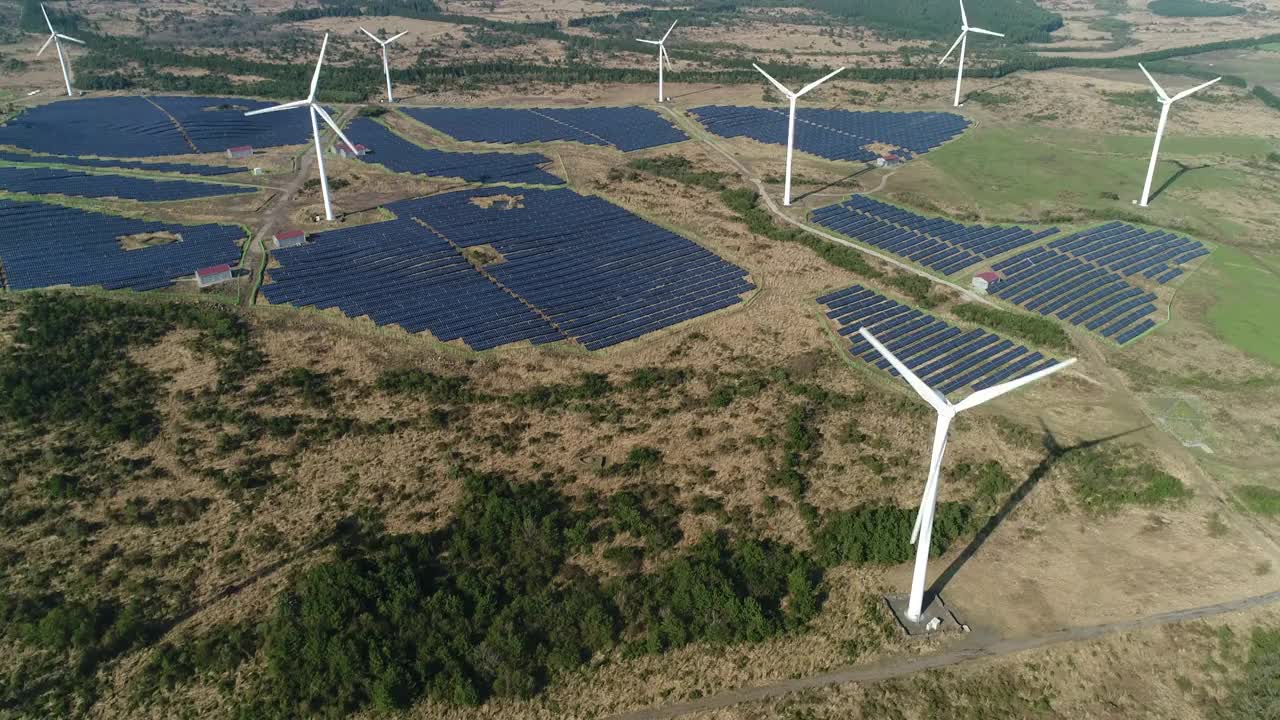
<point x="49" y="245"/>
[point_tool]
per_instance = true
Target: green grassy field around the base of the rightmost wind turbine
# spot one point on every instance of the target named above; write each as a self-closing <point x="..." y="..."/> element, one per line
<point x="1026" y="174"/>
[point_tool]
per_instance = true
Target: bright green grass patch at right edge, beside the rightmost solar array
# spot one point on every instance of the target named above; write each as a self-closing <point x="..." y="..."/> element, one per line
<point x="1245" y="304"/>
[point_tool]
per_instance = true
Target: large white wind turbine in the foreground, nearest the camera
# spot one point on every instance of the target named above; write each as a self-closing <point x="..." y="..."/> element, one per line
<point x="921" y="536"/>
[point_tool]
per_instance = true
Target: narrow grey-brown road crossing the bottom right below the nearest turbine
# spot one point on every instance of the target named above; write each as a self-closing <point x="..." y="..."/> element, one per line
<point x="898" y="668"/>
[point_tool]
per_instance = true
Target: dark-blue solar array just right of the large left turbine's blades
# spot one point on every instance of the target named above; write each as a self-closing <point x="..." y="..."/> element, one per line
<point x="404" y="157"/>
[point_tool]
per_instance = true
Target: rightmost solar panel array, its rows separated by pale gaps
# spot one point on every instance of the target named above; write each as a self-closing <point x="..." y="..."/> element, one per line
<point x="1085" y="277"/>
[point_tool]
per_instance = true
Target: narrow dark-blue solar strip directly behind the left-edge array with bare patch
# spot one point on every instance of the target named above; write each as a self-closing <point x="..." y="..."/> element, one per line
<point x="52" y="181"/>
